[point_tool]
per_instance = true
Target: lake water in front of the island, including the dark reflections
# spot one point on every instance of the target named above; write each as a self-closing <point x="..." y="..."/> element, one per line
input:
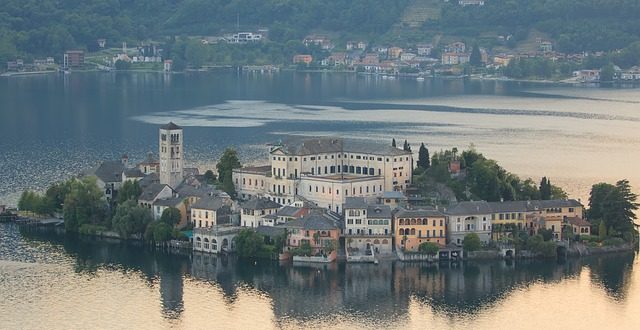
<point x="49" y="281"/>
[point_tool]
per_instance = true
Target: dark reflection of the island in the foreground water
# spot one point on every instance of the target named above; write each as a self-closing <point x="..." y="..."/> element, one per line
<point x="381" y="295"/>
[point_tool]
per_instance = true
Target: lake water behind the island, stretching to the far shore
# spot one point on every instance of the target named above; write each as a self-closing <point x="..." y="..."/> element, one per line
<point x="52" y="126"/>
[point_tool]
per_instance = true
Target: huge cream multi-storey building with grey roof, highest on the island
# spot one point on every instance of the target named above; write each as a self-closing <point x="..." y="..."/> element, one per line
<point x="326" y="171"/>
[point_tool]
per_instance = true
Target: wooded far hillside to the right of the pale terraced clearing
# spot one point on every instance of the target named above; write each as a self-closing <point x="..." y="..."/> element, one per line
<point x="576" y="25"/>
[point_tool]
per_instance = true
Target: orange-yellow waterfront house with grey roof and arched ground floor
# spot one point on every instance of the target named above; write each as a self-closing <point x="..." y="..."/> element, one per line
<point x="414" y="227"/>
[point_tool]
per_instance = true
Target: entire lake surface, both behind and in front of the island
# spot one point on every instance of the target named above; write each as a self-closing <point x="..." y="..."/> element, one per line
<point x="53" y="126"/>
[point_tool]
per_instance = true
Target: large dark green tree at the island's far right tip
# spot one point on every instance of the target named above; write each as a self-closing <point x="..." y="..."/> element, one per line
<point x="613" y="207"/>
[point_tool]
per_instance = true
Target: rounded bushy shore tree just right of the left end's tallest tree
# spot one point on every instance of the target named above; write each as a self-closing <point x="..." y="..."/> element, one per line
<point x="130" y="218"/>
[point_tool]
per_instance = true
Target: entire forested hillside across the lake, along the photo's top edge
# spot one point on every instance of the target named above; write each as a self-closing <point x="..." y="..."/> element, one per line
<point x="48" y="27"/>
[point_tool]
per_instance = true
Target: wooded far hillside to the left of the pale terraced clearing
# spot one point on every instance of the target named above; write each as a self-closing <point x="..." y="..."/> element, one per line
<point x="47" y="27"/>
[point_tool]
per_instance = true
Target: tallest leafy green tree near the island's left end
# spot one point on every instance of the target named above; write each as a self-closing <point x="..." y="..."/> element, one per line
<point x="83" y="204"/>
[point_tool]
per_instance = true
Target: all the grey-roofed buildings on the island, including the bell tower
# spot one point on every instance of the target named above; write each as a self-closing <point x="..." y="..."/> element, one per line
<point x="327" y="199"/>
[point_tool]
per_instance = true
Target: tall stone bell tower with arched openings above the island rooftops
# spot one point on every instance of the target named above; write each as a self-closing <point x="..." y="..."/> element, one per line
<point x="171" y="151"/>
